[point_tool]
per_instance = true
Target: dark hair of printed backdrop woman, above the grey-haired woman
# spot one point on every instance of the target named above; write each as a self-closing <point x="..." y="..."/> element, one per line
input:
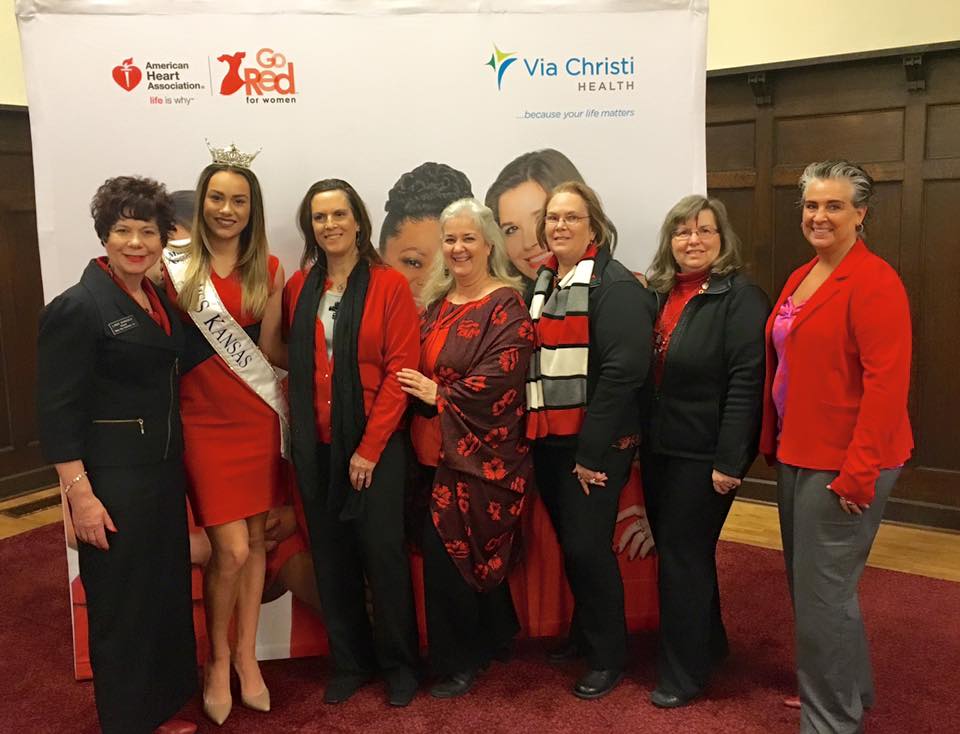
<point x="422" y="193"/>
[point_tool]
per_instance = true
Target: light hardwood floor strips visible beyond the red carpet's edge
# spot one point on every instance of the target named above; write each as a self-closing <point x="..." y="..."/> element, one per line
<point x="921" y="551"/>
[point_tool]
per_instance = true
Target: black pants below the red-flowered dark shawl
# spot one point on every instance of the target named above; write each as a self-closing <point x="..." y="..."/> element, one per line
<point x="465" y="627"/>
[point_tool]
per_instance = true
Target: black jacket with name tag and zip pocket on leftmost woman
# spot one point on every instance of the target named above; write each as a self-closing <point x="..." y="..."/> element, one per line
<point x="108" y="382"/>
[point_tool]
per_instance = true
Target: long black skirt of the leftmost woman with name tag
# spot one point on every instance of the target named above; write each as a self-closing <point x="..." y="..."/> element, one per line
<point x="139" y="606"/>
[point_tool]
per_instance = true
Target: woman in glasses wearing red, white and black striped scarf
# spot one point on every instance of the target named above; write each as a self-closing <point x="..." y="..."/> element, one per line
<point x="594" y="322"/>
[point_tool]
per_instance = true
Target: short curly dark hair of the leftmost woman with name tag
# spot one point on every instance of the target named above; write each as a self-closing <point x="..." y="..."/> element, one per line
<point x="131" y="197"/>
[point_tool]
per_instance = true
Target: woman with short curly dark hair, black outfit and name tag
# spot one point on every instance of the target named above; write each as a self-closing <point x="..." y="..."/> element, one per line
<point x="109" y="350"/>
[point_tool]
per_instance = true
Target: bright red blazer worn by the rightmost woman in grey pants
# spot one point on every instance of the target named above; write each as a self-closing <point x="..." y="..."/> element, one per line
<point x="849" y="355"/>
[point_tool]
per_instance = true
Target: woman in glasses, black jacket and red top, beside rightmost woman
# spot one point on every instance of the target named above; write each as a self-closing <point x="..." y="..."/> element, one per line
<point x="702" y="429"/>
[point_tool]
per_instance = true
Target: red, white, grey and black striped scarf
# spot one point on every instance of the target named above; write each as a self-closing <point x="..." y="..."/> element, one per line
<point x="557" y="379"/>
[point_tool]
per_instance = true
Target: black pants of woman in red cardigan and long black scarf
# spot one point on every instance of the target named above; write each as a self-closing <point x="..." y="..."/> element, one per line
<point x="371" y="547"/>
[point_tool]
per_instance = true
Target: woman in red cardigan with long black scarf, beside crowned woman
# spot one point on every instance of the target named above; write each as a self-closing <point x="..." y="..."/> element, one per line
<point x="352" y="326"/>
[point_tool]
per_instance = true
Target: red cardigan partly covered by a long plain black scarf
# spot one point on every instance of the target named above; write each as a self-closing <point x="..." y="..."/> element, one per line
<point x="389" y="340"/>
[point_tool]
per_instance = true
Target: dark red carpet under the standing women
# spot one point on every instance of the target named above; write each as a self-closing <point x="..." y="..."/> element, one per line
<point x="914" y="626"/>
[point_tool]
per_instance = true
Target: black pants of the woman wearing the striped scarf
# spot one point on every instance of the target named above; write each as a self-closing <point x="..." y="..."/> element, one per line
<point x="584" y="526"/>
